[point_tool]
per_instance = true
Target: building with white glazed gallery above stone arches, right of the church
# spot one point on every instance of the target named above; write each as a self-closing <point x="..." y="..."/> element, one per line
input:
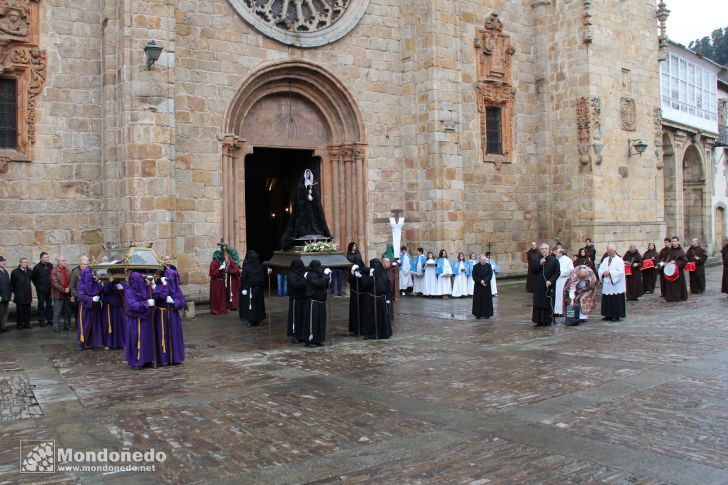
<point x="688" y="86"/>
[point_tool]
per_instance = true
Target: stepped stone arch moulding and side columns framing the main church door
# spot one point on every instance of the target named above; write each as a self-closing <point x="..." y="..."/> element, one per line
<point x="343" y="157"/>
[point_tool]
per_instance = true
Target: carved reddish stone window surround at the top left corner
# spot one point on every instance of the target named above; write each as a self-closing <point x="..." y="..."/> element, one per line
<point x="20" y="57"/>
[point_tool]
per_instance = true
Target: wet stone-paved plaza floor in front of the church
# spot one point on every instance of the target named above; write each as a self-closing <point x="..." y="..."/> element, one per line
<point x="448" y="400"/>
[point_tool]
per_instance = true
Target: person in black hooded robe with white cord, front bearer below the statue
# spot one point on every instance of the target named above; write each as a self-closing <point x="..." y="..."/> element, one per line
<point x="314" y="315"/>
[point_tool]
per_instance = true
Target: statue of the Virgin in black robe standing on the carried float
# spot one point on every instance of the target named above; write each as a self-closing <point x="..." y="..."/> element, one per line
<point x="307" y="219"/>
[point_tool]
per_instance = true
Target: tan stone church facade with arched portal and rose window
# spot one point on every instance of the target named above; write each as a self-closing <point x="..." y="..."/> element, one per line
<point x="482" y="121"/>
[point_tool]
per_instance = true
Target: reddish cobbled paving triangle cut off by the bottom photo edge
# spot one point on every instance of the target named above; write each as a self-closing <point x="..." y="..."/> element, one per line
<point x="492" y="460"/>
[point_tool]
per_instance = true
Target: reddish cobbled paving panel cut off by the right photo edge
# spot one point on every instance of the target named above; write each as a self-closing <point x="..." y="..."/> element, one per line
<point x="686" y="418"/>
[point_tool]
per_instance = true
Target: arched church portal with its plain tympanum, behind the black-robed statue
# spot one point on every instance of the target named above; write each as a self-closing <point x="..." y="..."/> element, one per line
<point x="296" y="110"/>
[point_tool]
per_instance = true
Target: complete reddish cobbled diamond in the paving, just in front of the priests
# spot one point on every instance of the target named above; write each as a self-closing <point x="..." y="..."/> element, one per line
<point x="494" y="383"/>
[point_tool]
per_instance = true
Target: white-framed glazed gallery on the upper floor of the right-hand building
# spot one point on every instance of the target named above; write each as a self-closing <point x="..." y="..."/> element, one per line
<point x="689" y="88"/>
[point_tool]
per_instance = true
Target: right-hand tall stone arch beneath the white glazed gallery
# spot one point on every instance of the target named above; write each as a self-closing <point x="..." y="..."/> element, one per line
<point x="694" y="208"/>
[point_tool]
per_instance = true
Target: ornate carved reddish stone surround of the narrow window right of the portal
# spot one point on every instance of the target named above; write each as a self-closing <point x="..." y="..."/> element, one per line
<point x="493" y="88"/>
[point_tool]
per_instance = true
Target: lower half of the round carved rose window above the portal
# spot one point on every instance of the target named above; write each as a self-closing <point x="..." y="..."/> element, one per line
<point x="302" y="23"/>
